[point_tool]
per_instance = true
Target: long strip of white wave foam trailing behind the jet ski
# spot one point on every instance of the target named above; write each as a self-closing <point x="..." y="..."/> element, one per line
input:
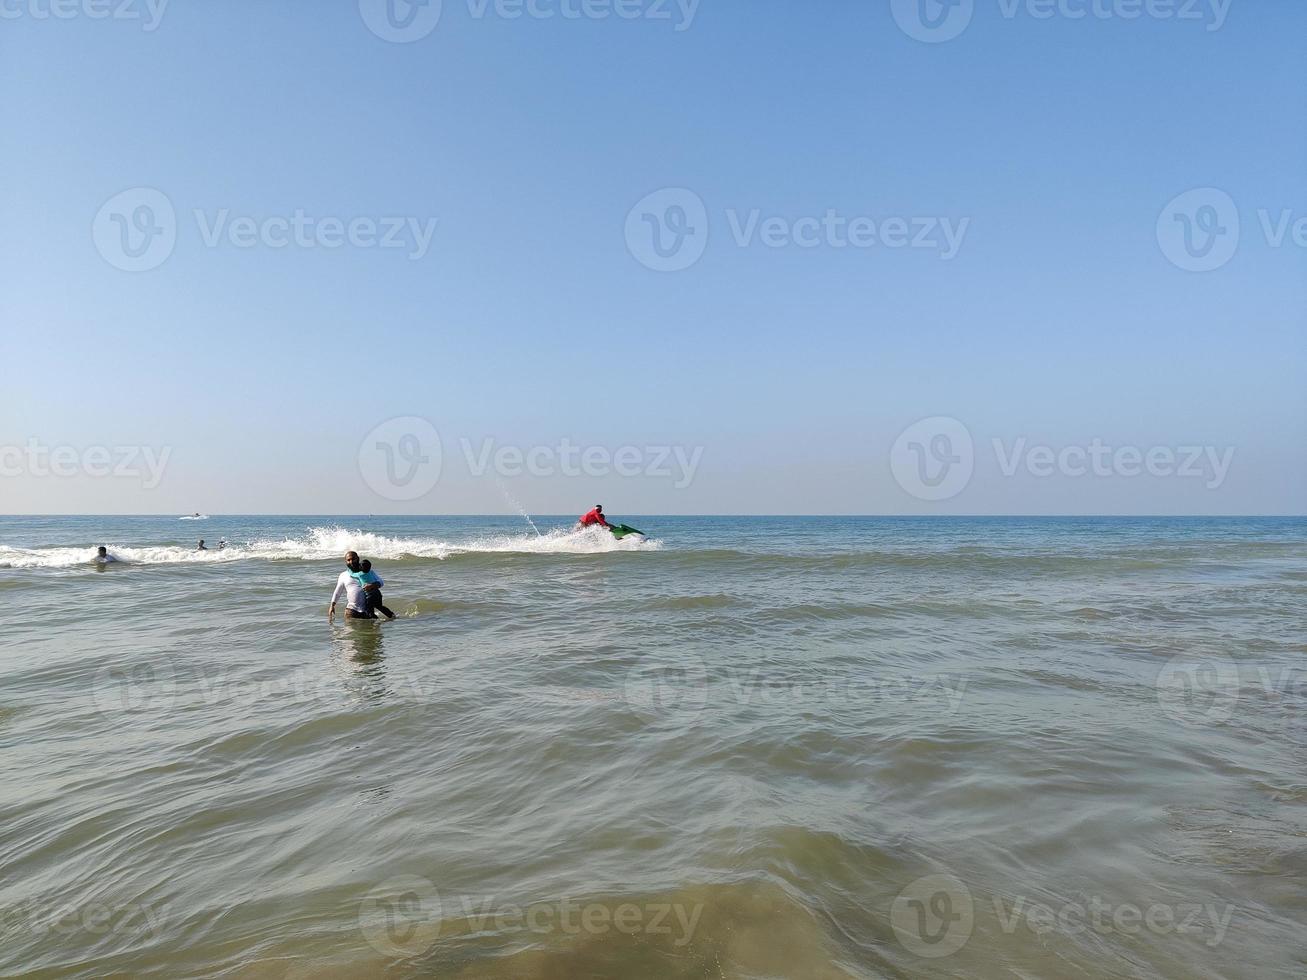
<point x="330" y="544"/>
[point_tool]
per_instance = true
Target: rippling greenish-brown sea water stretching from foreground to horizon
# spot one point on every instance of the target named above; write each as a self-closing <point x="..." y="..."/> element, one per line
<point x="744" y="748"/>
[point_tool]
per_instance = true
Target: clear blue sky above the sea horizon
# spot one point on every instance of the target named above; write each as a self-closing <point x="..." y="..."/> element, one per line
<point x="1040" y="296"/>
